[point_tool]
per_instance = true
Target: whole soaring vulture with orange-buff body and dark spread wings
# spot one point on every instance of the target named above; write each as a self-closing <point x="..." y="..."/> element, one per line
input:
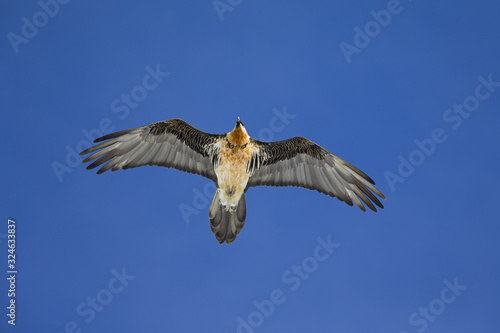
<point x="235" y="162"/>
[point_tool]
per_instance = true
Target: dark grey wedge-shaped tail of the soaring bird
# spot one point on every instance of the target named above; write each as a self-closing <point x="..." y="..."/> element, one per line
<point x="225" y="224"/>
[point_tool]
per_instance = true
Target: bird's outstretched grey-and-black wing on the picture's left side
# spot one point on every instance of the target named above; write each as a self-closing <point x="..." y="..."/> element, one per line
<point x="172" y="144"/>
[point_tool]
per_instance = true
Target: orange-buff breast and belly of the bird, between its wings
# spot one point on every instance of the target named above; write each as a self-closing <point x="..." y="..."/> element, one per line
<point x="232" y="177"/>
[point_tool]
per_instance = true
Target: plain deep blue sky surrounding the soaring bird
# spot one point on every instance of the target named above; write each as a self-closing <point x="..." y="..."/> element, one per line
<point x="407" y="91"/>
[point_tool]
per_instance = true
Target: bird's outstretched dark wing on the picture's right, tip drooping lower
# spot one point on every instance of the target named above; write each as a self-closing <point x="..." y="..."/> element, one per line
<point x="300" y="162"/>
